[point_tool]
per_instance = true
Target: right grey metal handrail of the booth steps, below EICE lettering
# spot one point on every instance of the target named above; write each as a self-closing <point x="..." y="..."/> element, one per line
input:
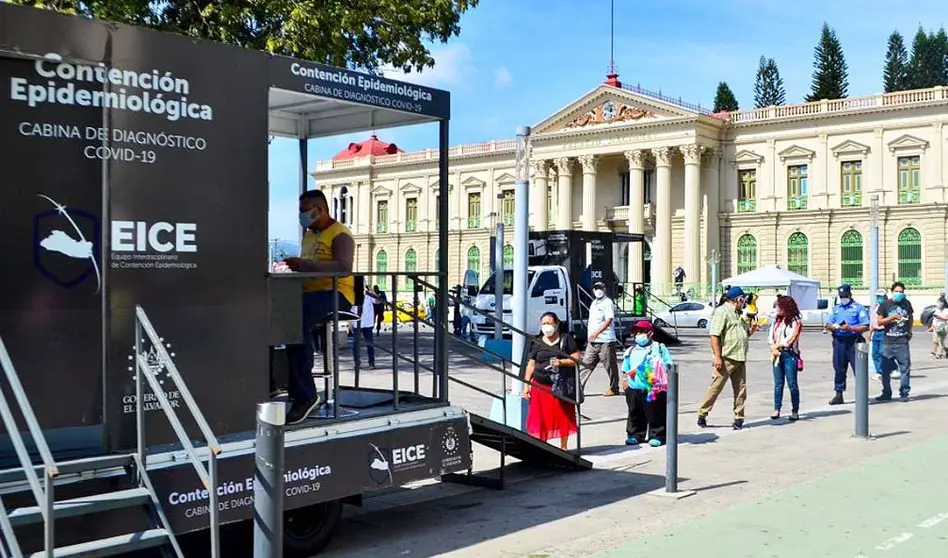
<point x="208" y="475"/>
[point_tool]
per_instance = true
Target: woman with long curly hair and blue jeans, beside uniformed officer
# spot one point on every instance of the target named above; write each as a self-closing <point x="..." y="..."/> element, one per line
<point x="785" y="354"/>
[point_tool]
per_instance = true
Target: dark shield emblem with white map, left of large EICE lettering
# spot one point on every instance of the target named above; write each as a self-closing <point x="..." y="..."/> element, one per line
<point x="66" y="247"/>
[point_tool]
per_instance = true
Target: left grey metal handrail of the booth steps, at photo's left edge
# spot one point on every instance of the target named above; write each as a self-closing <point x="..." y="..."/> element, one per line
<point x="43" y="493"/>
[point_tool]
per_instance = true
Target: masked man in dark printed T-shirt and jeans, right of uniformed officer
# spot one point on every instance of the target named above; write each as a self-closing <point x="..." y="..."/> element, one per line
<point x="898" y="316"/>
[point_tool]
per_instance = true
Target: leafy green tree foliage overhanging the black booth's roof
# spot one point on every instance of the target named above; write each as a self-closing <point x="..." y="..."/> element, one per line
<point x="346" y="33"/>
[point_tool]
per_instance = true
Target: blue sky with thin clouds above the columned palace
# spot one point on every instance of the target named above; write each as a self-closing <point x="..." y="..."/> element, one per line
<point x="518" y="61"/>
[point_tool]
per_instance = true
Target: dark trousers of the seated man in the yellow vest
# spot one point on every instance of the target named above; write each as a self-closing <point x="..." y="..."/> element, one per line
<point x="317" y="306"/>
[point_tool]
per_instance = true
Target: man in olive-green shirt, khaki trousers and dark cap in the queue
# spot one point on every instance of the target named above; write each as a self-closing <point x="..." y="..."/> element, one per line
<point x="730" y="333"/>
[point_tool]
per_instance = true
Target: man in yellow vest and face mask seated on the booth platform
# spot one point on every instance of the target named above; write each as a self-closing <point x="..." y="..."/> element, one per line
<point x="327" y="246"/>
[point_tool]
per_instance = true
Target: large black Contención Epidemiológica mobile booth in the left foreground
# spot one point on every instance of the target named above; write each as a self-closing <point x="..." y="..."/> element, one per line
<point x="138" y="316"/>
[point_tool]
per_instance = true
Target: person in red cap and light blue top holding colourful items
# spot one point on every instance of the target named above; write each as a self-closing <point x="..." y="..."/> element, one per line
<point x="645" y="368"/>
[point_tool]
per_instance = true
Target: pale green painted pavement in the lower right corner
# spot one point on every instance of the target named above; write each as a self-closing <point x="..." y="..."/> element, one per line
<point x="893" y="506"/>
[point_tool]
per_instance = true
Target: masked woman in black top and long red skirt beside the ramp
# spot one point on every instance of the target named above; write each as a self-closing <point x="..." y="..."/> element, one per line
<point x="548" y="416"/>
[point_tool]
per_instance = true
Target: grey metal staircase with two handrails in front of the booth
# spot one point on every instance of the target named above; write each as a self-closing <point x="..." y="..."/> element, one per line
<point x="43" y="479"/>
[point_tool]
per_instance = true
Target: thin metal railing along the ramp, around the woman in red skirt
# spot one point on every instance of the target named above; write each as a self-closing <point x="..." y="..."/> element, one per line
<point x="509" y="362"/>
